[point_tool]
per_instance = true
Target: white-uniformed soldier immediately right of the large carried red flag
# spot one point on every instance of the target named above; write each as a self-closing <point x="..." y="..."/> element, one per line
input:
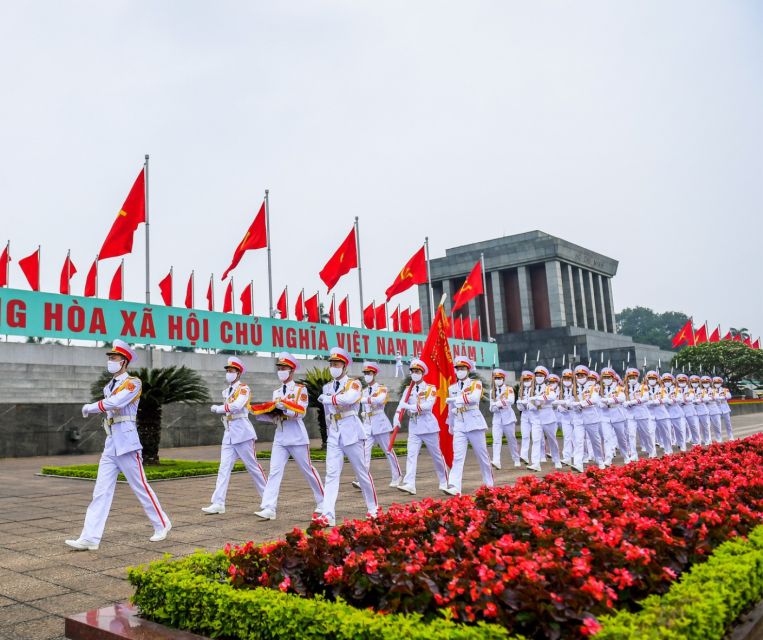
<point x="467" y="424"/>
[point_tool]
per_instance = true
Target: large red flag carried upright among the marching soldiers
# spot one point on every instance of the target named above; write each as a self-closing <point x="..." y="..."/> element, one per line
<point x="436" y="354"/>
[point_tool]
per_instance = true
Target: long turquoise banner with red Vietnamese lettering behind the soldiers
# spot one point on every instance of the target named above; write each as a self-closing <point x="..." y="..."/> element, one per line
<point x="49" y="315"/>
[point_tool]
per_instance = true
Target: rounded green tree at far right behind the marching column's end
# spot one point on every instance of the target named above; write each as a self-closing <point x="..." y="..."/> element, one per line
<point x="733" y="361"/>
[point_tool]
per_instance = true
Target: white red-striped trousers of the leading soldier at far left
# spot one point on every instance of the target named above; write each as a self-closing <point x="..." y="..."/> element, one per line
<point x="109" y="466"/>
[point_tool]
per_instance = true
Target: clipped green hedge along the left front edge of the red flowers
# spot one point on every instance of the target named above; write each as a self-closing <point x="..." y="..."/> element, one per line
<point x="194" y="594"/>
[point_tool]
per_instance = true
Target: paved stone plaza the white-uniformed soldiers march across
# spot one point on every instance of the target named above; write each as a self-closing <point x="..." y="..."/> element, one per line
<point x="42" y="580"/>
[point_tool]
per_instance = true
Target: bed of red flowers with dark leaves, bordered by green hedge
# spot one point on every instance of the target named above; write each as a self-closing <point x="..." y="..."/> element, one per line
<point x="543" y="557"/>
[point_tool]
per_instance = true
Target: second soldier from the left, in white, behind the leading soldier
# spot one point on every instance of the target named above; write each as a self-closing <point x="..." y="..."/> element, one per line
<point x="238" y="438"/>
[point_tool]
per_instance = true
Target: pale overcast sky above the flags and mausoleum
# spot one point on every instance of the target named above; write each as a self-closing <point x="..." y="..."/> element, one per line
<point x="632" y="129"/>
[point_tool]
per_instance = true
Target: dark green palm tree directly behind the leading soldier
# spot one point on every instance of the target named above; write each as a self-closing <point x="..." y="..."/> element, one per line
<point x="159" y="387"/>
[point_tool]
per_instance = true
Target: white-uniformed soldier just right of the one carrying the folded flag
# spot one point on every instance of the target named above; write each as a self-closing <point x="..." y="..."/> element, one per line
<point x="341" y="399"/>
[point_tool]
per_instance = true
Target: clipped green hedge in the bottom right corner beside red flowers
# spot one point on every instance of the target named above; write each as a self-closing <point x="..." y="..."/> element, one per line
<point x="704" y="603"/>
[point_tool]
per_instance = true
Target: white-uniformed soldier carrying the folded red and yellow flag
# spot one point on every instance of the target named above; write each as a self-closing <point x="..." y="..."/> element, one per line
<point x="290" y="438"/>
